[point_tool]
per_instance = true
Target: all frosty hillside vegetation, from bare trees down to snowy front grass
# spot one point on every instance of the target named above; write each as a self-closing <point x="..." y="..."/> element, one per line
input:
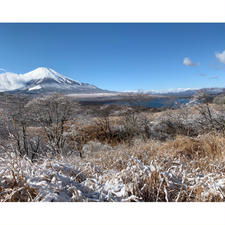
<point x="54" y="149"/>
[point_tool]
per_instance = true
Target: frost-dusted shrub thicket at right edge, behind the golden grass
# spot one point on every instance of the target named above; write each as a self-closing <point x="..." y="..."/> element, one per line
<point x="188" y="121"/>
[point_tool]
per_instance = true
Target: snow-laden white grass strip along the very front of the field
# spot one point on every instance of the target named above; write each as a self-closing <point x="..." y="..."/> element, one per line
<point x="65" y="181"/>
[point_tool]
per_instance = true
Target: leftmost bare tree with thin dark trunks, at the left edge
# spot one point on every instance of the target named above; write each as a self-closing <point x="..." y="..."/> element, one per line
<point x="19" y="137"/>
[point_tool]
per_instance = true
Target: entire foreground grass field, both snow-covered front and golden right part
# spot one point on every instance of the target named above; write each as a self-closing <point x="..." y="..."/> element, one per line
<point x="184" y="169"/>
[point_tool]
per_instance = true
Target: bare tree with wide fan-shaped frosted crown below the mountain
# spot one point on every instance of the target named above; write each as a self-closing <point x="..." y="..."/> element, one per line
<point x="52" y="113"/>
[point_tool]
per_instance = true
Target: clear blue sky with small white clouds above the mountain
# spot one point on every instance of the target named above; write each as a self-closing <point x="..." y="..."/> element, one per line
<point x="149" y="56"/>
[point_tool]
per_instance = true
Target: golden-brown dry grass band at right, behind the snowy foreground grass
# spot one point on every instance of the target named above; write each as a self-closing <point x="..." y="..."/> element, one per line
<point x="202" y="148"/>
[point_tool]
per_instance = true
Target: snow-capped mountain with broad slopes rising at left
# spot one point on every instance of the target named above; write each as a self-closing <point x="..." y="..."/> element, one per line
<point x="43" y="80"/>
